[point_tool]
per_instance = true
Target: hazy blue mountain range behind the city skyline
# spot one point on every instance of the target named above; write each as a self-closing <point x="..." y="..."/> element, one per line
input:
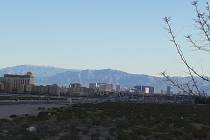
<point x="52" y="75"/>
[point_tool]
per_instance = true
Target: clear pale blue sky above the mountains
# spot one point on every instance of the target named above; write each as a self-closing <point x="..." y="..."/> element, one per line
<point x="126" y="35"/>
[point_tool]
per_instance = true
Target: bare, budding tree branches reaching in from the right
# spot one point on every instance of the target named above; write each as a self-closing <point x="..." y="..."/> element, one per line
<point x="203" y="23"/>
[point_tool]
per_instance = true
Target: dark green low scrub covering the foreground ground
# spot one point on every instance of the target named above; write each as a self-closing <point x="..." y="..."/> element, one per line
<point x="110" y="121"/>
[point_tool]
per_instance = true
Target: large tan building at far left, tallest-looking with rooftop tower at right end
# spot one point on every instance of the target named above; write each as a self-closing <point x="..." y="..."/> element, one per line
<point x="17" y="83"/>
